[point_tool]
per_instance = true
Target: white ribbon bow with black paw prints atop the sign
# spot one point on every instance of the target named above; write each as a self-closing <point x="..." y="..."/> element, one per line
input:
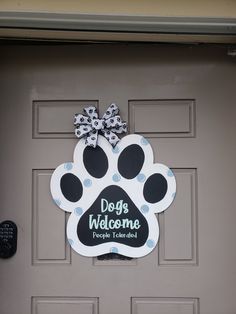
<point x="89" y="125"/>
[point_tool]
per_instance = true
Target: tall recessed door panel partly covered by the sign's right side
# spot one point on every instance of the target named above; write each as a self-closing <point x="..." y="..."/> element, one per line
<point x="178" y="225"/>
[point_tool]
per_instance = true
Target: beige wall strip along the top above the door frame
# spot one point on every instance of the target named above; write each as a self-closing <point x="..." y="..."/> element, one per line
<point x="183" y="8"/>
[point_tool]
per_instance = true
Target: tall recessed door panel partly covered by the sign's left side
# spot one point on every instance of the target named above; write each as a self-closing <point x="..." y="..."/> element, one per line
<point x="48" y="225"/>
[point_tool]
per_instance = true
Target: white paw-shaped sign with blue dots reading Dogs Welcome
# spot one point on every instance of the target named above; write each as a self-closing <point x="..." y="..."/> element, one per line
<point x="113" y="195"/>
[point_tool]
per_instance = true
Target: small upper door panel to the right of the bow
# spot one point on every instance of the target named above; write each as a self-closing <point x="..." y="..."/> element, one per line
<point x="157" y="113"/>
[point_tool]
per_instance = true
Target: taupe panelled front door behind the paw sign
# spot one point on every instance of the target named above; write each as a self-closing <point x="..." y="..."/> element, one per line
<point x="187" y="97"/>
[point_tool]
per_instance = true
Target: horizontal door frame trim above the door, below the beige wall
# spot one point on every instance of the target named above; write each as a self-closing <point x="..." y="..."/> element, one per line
<point x="96" y="28"/>
